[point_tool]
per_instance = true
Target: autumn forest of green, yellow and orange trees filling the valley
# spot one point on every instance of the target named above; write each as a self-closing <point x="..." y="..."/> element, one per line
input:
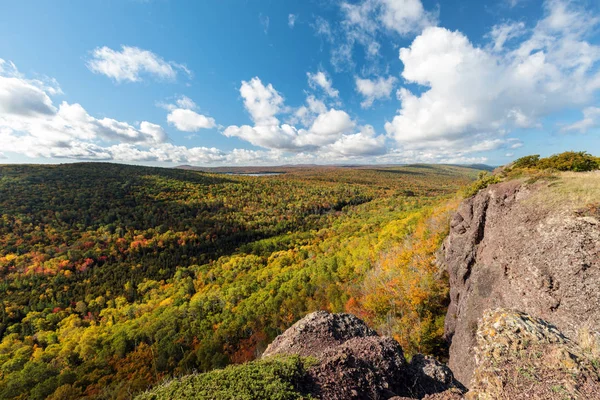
<point x="115" y="277"/>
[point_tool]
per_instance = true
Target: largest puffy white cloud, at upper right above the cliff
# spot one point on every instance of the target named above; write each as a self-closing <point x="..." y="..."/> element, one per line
<point x="472" y="94"/>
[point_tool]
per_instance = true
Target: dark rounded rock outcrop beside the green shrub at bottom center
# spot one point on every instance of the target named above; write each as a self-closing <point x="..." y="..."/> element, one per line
<point x="355" y="363"/>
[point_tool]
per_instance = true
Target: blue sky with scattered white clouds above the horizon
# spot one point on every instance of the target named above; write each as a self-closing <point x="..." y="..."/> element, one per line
<point x="166" y="82"/>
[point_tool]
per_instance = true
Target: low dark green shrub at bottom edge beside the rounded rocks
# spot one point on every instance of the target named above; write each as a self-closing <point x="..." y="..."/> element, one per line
<point x="277" y="378"/>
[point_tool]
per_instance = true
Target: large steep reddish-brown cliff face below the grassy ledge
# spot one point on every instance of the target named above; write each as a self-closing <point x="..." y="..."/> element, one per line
<point x="511" y="246"/>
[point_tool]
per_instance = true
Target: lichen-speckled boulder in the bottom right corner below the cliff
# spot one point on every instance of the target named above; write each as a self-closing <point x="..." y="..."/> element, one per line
<point x="522" y="357"/>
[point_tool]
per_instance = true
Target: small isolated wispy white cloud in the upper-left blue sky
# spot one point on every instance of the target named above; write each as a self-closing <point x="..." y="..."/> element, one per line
<point x="131" y="63"/>
